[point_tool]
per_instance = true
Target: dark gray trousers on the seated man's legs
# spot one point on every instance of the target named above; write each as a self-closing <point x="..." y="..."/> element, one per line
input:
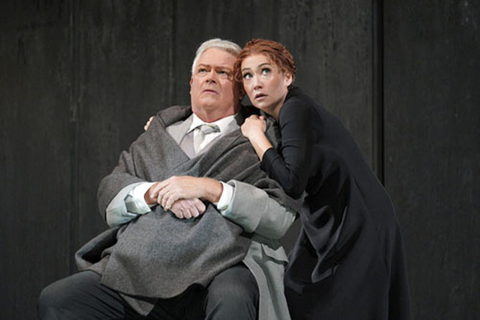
<point x="233" y="294"/>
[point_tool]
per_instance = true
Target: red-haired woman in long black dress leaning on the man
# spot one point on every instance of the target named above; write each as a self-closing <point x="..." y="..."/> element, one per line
<point x="348" y="262"/>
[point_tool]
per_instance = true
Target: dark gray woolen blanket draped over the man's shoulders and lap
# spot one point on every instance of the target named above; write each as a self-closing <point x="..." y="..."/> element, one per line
<point x="157" y="255"/>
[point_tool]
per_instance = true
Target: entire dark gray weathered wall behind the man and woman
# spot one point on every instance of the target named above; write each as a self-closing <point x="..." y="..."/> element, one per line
<point x="78" y="79"/>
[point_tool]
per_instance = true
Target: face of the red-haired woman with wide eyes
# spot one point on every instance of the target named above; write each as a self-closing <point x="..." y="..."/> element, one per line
<point x="265" y="84"/>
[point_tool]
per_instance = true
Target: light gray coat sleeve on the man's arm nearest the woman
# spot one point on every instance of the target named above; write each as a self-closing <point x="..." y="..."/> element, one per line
<point x="256" y="212"/>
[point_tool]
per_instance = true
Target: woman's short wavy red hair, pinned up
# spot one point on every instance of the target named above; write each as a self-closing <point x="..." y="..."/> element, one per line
<point x="275" y="51"/>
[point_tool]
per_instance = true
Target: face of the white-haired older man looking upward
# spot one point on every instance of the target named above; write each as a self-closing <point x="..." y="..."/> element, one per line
<point x="213" y="90"/>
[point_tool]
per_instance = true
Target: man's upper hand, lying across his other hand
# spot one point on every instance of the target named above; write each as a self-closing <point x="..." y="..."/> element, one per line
<point x="168" y="191"/>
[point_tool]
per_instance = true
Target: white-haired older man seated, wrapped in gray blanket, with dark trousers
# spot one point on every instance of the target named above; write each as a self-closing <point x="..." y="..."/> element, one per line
<point x="195" y="222"/>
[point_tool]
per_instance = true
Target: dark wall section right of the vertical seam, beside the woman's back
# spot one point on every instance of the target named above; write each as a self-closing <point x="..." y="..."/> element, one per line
<point x="432" y="149"/>
